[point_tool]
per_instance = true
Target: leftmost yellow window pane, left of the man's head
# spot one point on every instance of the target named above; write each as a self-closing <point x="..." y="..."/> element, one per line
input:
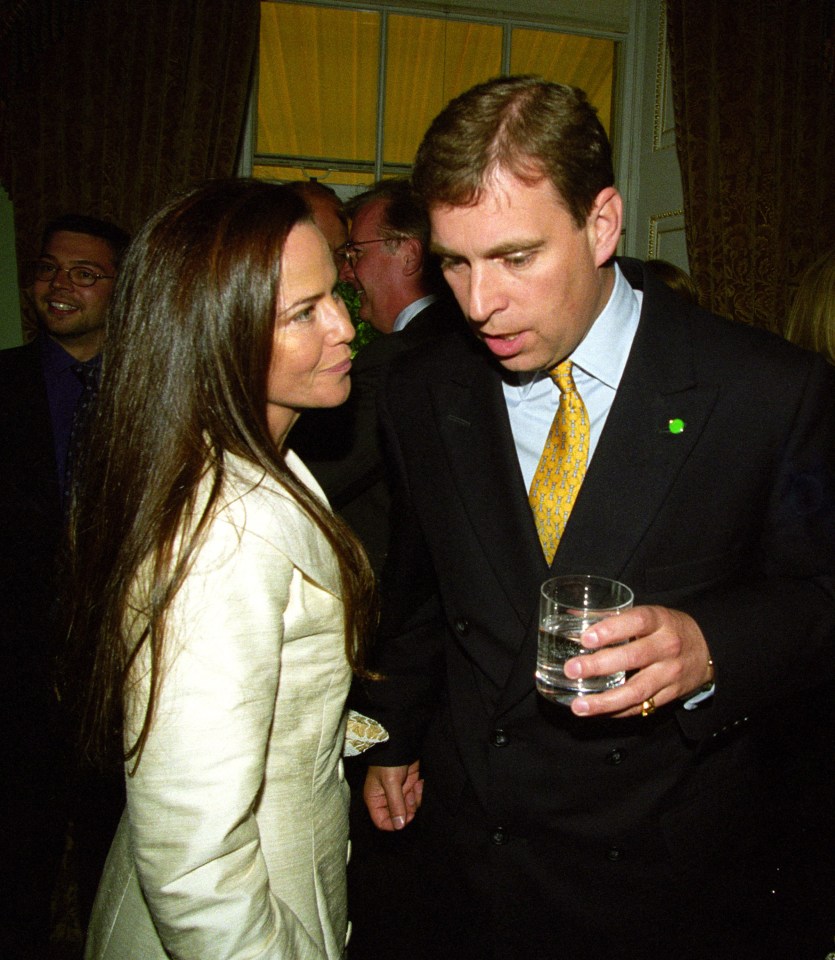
<point x="317" y="81"/>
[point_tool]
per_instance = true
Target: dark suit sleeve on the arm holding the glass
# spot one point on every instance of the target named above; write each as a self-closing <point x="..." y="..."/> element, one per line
<point x="772" y="634"/>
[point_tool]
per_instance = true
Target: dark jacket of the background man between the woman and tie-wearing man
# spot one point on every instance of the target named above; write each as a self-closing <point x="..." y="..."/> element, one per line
<point x="341" y="445"/>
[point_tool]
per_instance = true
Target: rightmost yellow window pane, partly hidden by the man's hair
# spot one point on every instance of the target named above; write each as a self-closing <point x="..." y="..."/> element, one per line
<point x="583" y="62"/>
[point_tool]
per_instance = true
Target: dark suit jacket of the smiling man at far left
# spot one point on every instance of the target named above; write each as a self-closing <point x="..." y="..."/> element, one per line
<point x="32" y="740"/>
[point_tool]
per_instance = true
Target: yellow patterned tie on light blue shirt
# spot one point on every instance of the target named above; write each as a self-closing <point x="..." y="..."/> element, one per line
<point x="562" y="466"/>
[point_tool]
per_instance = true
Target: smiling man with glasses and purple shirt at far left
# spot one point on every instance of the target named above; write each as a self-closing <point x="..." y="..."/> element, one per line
<point x="42" y="382"/>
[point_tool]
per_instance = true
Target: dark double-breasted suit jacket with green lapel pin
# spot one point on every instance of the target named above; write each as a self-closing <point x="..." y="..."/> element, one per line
<point x="605" y="829"/>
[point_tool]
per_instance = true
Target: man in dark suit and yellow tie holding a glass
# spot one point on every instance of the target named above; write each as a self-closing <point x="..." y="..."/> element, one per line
<point x="630" y="823"/>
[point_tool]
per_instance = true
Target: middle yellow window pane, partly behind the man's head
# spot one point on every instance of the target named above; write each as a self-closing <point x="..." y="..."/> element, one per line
<point x="428" y="63"/>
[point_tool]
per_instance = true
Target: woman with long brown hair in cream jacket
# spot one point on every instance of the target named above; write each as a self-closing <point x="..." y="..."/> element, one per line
<point x="218" y="605"/>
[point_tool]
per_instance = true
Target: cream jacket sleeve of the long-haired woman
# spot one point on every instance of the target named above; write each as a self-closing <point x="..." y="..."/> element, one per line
<point x="191" y="803"/>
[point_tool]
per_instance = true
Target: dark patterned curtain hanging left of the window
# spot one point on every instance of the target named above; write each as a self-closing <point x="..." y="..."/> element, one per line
<point x="108" y="107"/>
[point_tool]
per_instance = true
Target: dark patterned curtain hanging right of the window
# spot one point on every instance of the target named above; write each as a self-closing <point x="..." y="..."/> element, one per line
<point x="754" y="102"/>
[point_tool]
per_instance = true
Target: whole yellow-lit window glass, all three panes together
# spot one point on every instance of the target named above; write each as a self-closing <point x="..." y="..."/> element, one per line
<point x="319" y="70"/>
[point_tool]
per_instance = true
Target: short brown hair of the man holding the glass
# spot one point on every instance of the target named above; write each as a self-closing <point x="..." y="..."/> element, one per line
<point x="523" y="125"/>
